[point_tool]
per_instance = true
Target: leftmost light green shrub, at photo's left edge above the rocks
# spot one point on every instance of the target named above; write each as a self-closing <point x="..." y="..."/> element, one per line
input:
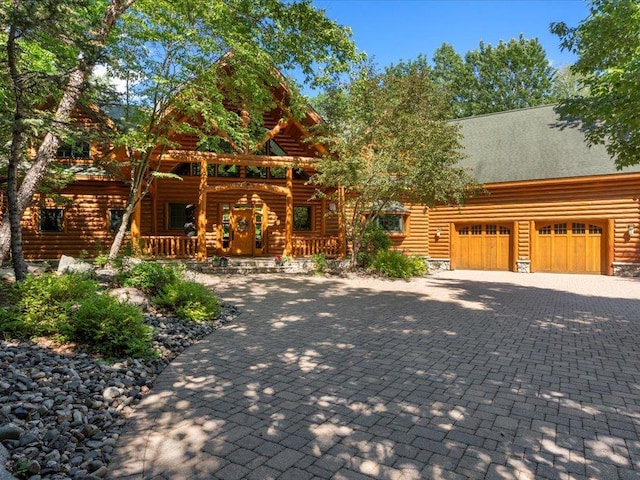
<point x="43" y="304"/>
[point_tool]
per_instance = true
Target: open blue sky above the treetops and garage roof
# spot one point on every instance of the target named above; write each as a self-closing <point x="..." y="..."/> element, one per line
<point x="393" y="30"/>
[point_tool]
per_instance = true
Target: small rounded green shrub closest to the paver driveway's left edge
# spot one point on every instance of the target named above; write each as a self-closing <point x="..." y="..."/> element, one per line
<point x="189" y="300"/>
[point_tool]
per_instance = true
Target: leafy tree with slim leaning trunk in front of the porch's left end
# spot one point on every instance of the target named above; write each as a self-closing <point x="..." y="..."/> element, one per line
<point x="214" y="70"/>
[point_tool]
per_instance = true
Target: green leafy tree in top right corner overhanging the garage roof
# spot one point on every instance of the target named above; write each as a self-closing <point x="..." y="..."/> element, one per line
<point x="607" y="43"/>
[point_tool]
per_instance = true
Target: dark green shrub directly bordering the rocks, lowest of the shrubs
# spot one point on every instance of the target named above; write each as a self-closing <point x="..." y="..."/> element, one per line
<point x="111" y="328"/>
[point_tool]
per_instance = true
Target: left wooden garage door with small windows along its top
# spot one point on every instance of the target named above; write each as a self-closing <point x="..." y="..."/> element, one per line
<point x="483" y="247"/>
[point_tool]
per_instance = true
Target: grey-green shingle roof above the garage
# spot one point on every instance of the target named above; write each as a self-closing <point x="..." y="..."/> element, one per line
<point x="530" y="144"/>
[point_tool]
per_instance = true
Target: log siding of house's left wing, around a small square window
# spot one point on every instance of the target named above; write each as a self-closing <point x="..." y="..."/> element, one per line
<point x="85" y="221"/>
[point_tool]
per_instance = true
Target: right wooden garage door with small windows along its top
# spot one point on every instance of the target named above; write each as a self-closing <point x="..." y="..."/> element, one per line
<point x="568" y="247"/>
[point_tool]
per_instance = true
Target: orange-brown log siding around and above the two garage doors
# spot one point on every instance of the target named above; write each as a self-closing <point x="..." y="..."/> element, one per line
<point x="615" y="197"/>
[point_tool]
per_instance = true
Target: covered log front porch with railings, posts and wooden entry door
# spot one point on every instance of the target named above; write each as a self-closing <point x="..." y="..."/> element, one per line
<point x="239" y="216"/>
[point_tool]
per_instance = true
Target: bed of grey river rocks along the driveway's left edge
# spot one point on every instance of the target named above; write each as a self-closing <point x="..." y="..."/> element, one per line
<point x="62" y="411"/>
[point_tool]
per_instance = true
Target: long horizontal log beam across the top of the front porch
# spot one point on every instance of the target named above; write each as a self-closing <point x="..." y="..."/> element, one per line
<point x="235" y="159"/>
